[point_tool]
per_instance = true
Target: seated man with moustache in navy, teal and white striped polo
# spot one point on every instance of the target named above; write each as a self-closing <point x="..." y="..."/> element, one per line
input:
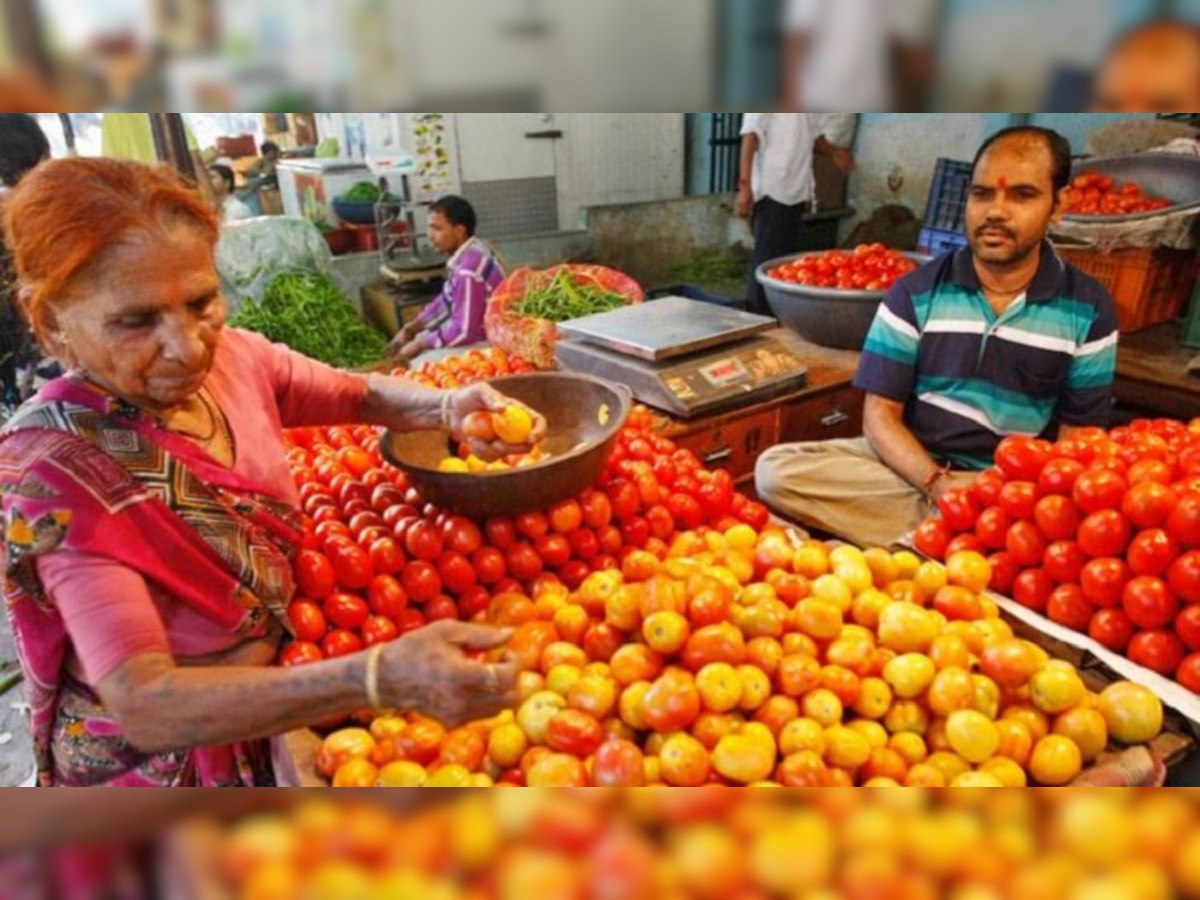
<point x="1001" y="338"/>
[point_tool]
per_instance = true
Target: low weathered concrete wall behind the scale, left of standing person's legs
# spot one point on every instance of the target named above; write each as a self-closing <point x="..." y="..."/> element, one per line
<point x="647" y="239"/>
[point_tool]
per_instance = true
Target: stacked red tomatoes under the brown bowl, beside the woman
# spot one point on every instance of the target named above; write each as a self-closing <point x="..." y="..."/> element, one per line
<point x="380" y="562"/>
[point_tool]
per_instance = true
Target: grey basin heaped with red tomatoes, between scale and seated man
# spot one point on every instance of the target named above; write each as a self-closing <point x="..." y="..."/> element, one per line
<point x="831" y="297"/>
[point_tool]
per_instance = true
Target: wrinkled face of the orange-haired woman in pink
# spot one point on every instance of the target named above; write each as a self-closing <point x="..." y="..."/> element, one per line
<point x="147" y="326"/>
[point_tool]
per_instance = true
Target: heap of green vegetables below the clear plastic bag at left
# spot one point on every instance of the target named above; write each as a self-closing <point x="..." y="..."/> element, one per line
<point x="310" y="315"/>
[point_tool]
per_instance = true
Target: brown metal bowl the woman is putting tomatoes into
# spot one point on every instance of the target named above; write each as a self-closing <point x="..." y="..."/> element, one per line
<point x="584" y="415"/>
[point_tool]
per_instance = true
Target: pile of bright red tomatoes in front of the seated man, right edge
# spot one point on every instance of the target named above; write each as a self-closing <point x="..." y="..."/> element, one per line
<point x="1101" y="533"/>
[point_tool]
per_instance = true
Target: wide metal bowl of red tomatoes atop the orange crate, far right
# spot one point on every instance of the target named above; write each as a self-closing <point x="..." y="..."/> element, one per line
<point x="1129" y="189"/>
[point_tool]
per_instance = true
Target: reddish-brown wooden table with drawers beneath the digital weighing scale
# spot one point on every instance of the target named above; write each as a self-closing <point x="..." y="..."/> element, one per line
<point x="826" y="407"/>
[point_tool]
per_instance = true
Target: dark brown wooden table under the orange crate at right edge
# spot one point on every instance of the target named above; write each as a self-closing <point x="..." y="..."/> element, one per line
<point x="1153" y="375"/>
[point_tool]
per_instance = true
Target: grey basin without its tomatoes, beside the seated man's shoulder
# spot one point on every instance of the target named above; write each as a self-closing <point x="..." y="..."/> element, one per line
<point x="825" y="316"/>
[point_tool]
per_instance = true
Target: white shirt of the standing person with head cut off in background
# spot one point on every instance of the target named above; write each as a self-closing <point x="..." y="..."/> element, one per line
<point x="783" y="167"/>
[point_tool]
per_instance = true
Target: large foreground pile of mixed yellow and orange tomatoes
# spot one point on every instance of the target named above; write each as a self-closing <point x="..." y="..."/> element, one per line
<point x="743" y="659"/>
